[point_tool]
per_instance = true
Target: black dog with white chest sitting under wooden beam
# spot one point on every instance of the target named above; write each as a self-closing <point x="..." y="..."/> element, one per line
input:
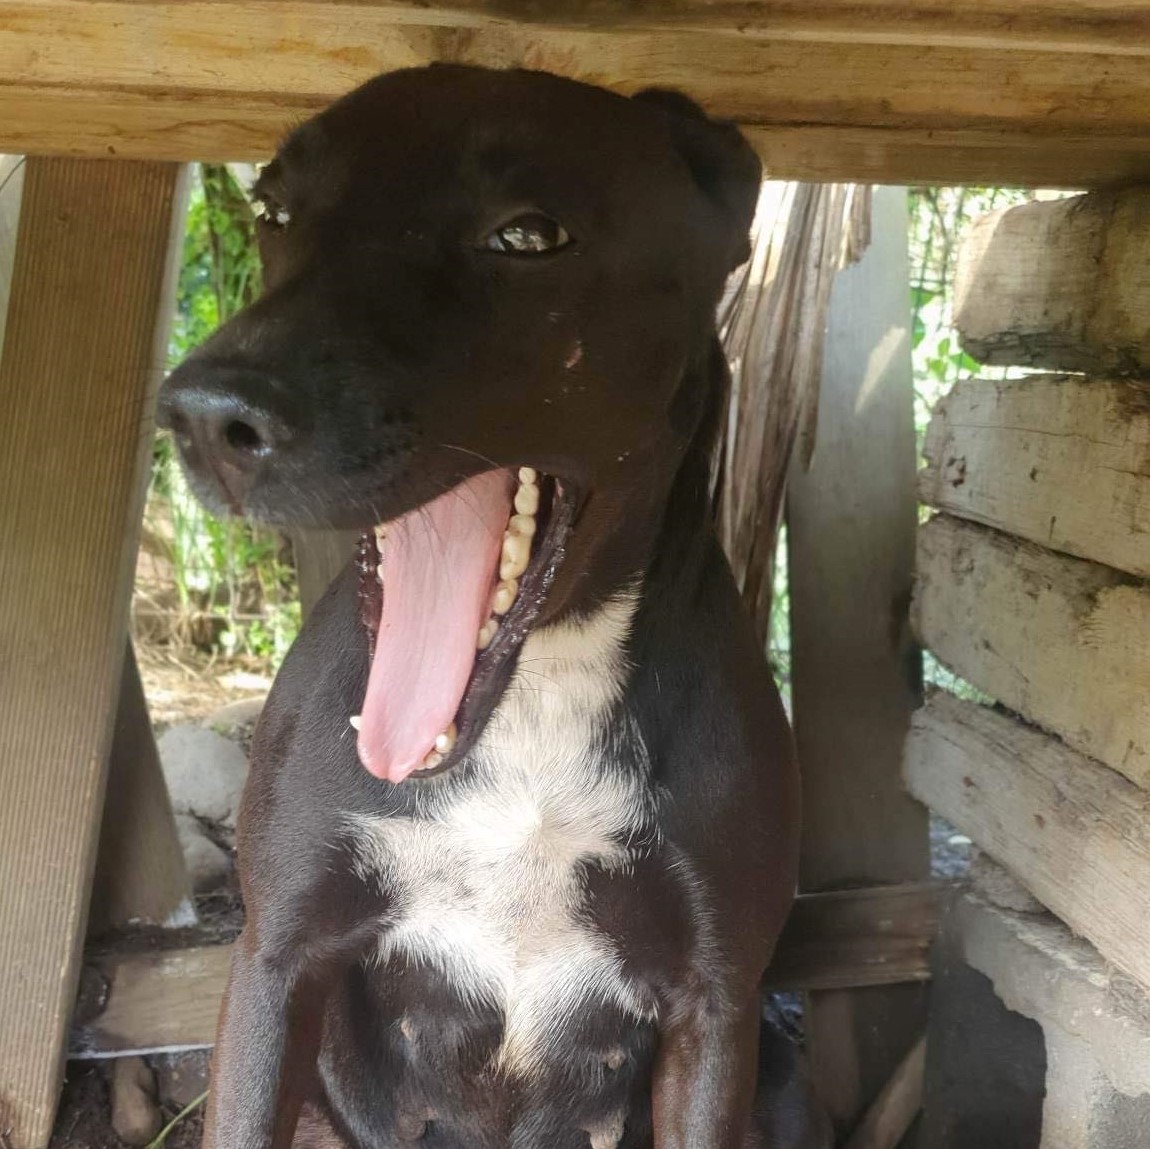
<point x="522" y="826"/>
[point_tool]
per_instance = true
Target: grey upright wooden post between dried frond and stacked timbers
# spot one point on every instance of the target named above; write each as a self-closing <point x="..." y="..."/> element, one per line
<point x="856" y="673"/>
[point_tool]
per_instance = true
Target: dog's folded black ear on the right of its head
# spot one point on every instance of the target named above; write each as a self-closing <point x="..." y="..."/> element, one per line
<point x="724" y="165"/>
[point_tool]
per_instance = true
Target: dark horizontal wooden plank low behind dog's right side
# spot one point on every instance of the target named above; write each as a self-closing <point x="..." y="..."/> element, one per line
<point x="852" y="939"/>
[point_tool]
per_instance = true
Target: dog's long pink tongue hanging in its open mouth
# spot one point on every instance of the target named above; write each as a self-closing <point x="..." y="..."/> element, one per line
<point x="440" y="570"/>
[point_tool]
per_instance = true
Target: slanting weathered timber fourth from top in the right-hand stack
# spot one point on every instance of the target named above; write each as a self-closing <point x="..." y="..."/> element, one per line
<point x="1075" y="833"/>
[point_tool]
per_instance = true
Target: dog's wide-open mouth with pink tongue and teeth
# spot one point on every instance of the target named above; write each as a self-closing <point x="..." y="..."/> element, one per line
<point x="450" y="593"/>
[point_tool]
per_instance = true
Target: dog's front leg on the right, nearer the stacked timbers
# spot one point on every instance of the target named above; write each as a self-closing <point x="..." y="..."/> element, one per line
<point x="706" y="1075"/>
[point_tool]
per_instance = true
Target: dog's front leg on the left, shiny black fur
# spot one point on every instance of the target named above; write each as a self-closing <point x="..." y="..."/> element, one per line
<point x="266" y="1050"/>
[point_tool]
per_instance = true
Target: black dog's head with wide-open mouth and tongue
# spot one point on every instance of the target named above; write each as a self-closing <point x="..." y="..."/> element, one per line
<point x="489" y="305"/>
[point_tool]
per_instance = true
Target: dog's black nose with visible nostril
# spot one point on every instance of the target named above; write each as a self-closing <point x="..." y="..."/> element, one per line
<point x="225" y="426"/>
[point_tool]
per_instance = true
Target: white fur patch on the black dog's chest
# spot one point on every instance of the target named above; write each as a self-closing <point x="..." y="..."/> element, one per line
<point x="488" y="883"/>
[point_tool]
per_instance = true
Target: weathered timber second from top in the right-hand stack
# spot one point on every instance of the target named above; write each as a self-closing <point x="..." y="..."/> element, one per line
<point x="1061" y="461"/>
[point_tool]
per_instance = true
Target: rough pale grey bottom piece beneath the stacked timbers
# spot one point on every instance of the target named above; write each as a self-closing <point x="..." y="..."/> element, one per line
<point x="1042" y="971"/>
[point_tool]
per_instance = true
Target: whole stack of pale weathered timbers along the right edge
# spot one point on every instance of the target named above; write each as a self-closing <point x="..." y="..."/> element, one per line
<point x="1033" y="585"/>
